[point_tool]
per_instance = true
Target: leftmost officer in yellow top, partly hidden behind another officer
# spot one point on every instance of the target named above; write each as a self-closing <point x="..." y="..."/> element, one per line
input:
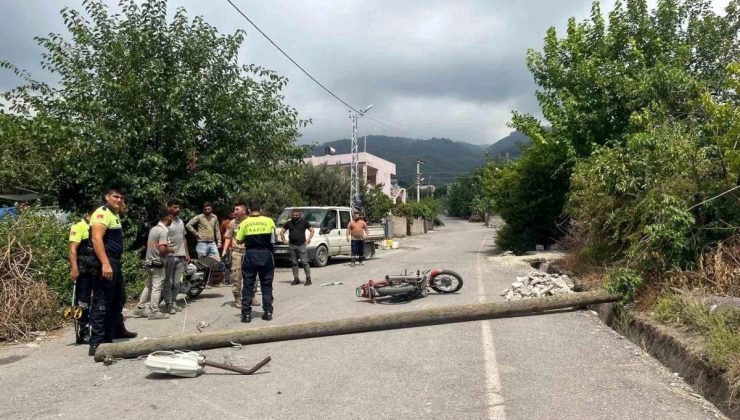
<point x="81" y="271"/>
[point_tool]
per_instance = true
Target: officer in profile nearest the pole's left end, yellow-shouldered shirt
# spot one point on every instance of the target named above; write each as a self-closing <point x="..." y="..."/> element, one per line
<point x="109" y="295"/>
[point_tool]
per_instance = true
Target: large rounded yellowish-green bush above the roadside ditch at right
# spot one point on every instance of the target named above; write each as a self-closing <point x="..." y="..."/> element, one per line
<point x="632" y="202"/>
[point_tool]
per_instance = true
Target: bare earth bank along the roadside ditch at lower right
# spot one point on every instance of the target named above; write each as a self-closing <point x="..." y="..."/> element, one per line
<point x="664" y="344"/>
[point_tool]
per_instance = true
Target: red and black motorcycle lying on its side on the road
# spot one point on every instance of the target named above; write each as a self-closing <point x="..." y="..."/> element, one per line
<point x="411" y="286"/>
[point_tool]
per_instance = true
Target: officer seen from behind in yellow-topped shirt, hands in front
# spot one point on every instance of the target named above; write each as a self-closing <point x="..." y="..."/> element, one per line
<point x="256" y="233"/>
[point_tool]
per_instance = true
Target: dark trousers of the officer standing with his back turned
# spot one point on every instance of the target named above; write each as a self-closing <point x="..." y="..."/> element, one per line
<point x="257" y="262"/>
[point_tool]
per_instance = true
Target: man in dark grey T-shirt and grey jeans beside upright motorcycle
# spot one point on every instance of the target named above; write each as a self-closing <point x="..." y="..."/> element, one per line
<point x="175" y="262"/>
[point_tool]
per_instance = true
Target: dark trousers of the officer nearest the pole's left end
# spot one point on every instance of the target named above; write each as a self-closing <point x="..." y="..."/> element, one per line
<point x="106" y="316"/>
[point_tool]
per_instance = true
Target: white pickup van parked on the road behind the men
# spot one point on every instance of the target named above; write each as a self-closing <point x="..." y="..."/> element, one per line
<point x="330" y="233"/>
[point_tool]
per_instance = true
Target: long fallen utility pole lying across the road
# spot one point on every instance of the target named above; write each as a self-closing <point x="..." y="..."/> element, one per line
<point x="391" y="321"/>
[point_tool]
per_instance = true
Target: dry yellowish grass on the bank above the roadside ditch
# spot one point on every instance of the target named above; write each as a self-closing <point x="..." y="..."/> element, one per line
<point x="719" y="331"/>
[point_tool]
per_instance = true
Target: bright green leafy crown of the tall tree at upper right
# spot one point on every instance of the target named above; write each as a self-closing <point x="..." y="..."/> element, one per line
<point x="599" y="82"/>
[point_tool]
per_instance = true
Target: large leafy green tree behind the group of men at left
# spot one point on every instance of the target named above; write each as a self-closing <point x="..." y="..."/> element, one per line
<point x="160" y="106"/>
